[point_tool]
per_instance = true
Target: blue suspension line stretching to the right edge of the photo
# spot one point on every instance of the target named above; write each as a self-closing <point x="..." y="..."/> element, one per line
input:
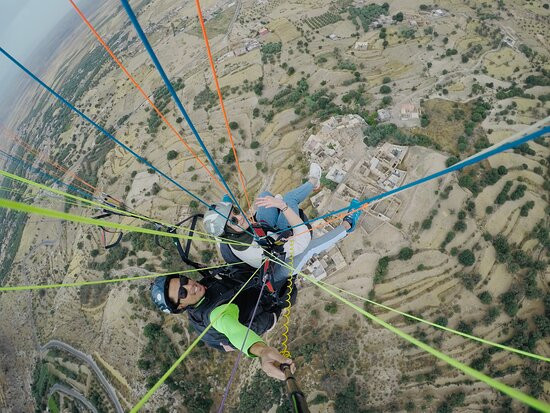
<point x="455" y="167"/>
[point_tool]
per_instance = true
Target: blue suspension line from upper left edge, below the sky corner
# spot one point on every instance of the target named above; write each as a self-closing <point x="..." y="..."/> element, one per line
<point x="101" y="129"/>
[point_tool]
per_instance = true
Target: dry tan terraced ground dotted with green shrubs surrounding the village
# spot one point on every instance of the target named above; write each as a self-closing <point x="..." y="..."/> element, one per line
<point x="471" y="91"/>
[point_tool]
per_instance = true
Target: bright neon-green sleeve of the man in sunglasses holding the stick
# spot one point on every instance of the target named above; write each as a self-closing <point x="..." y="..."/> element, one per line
<point x="228" y="324"/>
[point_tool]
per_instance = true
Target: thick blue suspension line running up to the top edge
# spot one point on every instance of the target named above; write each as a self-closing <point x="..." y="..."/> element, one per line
<point x="155" y="60"/>
